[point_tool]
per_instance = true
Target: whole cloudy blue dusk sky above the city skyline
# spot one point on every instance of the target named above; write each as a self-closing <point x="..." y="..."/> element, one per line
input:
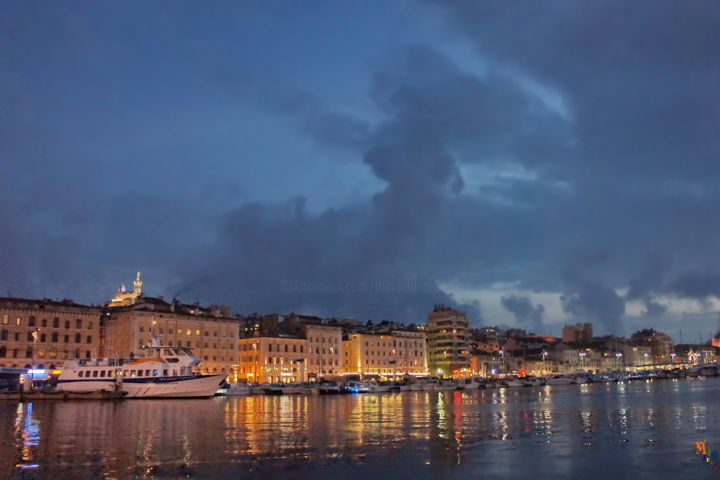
<point x="533" y="163"/>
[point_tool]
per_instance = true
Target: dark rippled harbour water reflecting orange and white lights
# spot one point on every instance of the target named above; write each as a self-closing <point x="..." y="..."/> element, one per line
<point x="640" y="429"/>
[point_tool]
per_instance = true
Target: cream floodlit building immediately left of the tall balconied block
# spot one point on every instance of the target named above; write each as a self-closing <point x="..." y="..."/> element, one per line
<point x="397" y="353"/>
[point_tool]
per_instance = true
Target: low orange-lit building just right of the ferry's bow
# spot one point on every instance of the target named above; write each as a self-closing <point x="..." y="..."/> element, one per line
<point x="273" y="359"/>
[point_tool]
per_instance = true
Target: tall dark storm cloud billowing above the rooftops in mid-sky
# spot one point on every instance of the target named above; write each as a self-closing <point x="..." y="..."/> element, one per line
<point x="430" y="107"/>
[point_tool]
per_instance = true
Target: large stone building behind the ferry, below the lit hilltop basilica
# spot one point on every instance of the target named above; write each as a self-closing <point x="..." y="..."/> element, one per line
<point x="210" y="332"/>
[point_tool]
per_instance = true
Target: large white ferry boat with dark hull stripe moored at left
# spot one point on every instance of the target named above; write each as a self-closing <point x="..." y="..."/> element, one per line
<point x="159" y="372"/>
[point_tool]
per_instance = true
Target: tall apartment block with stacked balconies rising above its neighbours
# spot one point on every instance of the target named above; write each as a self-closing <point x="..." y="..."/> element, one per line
<point x="448" y="342"/>
